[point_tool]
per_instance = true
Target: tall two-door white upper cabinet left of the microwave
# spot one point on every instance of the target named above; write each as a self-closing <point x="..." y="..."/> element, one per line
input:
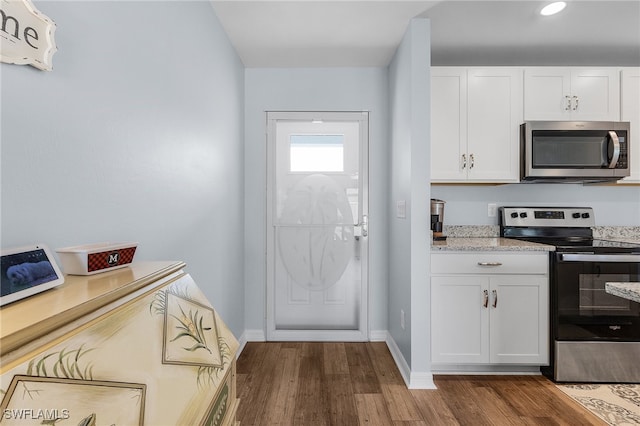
<point x="475" y="114"/>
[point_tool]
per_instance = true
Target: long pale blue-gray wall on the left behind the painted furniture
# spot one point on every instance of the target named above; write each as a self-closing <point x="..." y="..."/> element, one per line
<point x="136" y="135"/>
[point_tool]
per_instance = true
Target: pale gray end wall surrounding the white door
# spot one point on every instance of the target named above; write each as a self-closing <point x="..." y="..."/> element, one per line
<point x="317" y="89"/>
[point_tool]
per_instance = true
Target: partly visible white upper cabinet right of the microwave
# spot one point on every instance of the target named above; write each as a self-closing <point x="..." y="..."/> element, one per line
<point x="630" y="111"/>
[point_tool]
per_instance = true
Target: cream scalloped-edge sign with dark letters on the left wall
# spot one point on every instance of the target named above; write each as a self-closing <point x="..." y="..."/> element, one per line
<point x="26" y="35"/>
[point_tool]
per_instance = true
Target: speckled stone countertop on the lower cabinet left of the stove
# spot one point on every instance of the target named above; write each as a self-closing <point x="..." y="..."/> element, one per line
<point x="487" y="244"/>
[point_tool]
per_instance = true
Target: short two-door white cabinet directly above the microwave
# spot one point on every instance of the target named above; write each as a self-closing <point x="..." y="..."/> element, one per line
<point x="571" y="94"/>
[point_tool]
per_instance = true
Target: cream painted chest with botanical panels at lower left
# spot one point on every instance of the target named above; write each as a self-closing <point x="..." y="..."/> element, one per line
<point x="156" y="354"/>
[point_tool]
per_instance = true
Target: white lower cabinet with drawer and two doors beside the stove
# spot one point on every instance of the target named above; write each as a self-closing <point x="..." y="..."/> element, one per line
<point x="489" y="308"/>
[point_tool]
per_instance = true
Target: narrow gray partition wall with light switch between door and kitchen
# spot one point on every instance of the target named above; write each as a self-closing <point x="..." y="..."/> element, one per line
<point x="409" y="286"/>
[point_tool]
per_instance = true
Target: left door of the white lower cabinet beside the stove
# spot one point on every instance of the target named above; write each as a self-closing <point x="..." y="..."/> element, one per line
<point x="459" y="321"/>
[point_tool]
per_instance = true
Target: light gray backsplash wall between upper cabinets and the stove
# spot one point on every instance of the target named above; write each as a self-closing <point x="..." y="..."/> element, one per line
<point x="467" y="204"/>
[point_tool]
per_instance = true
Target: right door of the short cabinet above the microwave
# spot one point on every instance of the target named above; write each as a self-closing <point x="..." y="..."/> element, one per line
<point x="595" y="94"/>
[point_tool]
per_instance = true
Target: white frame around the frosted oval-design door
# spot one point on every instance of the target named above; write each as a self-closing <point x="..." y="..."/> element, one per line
<point x="272" y="334"/>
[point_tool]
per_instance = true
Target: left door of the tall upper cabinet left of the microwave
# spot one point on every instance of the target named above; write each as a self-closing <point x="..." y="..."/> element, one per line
<point x="448" y="123"/>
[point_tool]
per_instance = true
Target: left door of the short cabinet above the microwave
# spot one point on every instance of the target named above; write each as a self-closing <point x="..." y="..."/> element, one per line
<point x="547" y="93"/>
